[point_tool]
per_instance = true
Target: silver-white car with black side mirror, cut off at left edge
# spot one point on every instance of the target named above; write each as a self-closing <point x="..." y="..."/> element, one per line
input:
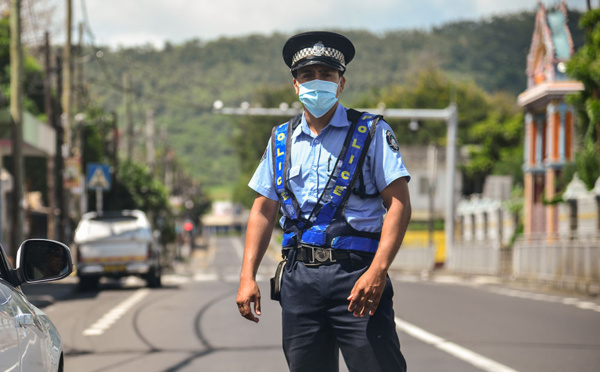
<point x="29" y="341"/>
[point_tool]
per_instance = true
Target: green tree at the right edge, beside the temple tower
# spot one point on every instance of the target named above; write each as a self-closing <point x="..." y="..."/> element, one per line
<point x="585" y="67"/>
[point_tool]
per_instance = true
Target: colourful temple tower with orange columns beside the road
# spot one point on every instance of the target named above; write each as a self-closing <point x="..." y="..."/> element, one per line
<point x="549" y="121"/>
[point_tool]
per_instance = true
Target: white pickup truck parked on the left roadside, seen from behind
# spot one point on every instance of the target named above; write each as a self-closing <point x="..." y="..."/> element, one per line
<point x="116" y="244"/>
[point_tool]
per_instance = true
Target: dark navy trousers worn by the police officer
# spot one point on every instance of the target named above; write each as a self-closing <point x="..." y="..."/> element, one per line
<point x="317" y="323"/>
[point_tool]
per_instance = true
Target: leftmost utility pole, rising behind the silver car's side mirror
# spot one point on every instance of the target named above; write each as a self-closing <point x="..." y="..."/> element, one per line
<point x="16" y="112"/>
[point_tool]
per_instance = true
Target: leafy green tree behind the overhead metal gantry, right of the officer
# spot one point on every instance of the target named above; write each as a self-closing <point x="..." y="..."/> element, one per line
<point x="490" y="125"/>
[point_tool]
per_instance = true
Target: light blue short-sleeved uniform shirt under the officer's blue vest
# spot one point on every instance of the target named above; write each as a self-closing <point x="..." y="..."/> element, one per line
<point x="313" y="159"/>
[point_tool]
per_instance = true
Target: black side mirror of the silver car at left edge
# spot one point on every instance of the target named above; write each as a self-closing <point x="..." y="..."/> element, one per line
<point x="41" y="260"/>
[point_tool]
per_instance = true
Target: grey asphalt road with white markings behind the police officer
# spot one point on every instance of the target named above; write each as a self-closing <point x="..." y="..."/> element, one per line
<point x="445" y="323"/>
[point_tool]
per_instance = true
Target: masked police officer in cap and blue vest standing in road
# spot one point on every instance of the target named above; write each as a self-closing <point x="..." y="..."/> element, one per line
<point x="339" y="180"/>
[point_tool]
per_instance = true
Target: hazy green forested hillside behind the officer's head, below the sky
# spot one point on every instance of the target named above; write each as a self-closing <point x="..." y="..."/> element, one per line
<point x="181" y="82"/>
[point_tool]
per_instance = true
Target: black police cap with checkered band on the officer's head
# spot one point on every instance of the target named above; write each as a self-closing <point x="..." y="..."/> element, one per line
<point x="318" y="48"/>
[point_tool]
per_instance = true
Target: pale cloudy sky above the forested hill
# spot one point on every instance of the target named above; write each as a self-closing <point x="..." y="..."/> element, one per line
<point x="137" y="22"/>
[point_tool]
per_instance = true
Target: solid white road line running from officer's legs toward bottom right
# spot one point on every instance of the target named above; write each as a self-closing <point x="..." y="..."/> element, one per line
<point x="453" y="349"/>
